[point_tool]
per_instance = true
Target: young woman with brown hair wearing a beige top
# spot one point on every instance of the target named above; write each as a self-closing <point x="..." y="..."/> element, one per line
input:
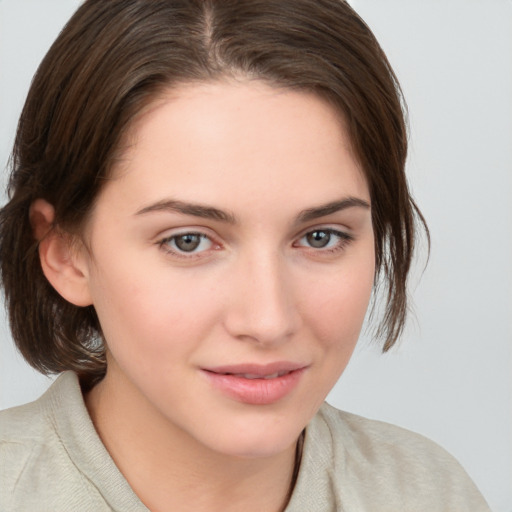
<point x="203" y="197"/>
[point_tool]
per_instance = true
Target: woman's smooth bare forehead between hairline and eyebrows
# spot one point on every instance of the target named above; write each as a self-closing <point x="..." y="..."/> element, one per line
<point x="247" y="140"/>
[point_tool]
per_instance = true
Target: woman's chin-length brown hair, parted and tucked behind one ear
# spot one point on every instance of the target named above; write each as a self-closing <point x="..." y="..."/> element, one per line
<point x="112" y="59"/>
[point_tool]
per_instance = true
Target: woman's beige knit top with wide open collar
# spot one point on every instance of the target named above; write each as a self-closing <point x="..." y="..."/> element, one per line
<point x="52" y="460"/>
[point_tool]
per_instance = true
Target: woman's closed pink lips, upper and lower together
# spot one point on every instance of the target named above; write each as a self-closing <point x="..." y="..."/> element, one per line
<point x="256" y="384"/>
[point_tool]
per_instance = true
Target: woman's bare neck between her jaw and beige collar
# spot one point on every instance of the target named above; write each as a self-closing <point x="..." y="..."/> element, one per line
<point x="169" y="470"/>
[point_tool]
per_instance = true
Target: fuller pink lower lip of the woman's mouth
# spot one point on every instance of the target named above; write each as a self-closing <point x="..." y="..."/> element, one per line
<point x="255" y="391"/>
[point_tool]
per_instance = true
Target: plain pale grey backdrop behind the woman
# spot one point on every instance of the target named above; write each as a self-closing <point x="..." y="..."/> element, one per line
<point x="450" y="379"/>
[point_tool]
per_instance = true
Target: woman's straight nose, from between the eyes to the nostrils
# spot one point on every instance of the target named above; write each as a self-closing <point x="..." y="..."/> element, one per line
<point x="262" y="301"/>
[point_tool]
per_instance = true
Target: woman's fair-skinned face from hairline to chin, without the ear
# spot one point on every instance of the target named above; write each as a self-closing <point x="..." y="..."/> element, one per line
<point x="231" y="261"/>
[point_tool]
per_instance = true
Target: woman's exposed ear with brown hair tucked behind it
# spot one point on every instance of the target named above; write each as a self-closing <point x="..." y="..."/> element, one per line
<point x="63" y="261"/>
